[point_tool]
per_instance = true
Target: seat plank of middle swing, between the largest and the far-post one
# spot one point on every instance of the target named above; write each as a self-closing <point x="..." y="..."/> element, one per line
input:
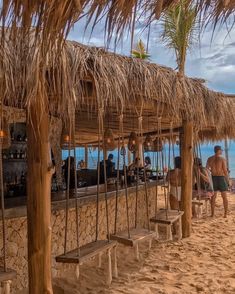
<point x="136" y="236"/>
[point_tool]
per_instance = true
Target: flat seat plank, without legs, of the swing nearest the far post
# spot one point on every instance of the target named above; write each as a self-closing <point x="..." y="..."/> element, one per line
<point x="171" y="217"/>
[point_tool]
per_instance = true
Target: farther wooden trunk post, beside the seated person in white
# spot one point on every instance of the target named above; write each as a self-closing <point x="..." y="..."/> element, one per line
<point x="186" y="178"/>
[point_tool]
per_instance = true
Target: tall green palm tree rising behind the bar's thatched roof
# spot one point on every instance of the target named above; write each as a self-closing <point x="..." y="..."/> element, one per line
<point x="180" y="29"/>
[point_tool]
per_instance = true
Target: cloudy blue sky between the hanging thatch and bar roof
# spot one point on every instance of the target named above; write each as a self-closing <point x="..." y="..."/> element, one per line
<point x="213" y="60"/>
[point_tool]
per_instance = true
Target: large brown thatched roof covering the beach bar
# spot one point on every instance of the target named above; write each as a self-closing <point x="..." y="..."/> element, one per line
<point x="87" y="78"/>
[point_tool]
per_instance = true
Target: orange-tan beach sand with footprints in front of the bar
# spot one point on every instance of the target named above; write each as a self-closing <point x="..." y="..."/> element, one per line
<point x="203" y="263"/>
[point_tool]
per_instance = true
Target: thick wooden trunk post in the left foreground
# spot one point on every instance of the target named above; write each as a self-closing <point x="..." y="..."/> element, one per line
<point x="39" y="200"/>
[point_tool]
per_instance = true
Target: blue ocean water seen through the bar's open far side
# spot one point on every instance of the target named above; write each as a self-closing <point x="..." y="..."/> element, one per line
<point x="206" y="150"/>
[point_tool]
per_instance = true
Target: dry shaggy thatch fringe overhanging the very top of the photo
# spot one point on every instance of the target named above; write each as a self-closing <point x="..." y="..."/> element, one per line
<point x="55" y="18"/>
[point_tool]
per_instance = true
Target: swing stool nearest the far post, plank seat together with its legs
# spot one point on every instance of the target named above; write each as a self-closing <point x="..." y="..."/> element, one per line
<point x="167" y="219"/>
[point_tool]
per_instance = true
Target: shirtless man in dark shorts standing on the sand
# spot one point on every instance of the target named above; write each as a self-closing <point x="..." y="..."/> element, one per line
<point x="218" y="167"/>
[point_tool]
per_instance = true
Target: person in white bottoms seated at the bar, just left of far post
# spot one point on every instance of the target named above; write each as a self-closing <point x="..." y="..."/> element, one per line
<point x="174" y="178"/>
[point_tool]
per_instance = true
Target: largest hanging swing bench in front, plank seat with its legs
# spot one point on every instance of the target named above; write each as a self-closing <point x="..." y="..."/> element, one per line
<point x="94" y="249"/>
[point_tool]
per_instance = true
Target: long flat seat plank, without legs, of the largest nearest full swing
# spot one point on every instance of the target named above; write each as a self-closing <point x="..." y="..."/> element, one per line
<point x="86" y="252"/>
